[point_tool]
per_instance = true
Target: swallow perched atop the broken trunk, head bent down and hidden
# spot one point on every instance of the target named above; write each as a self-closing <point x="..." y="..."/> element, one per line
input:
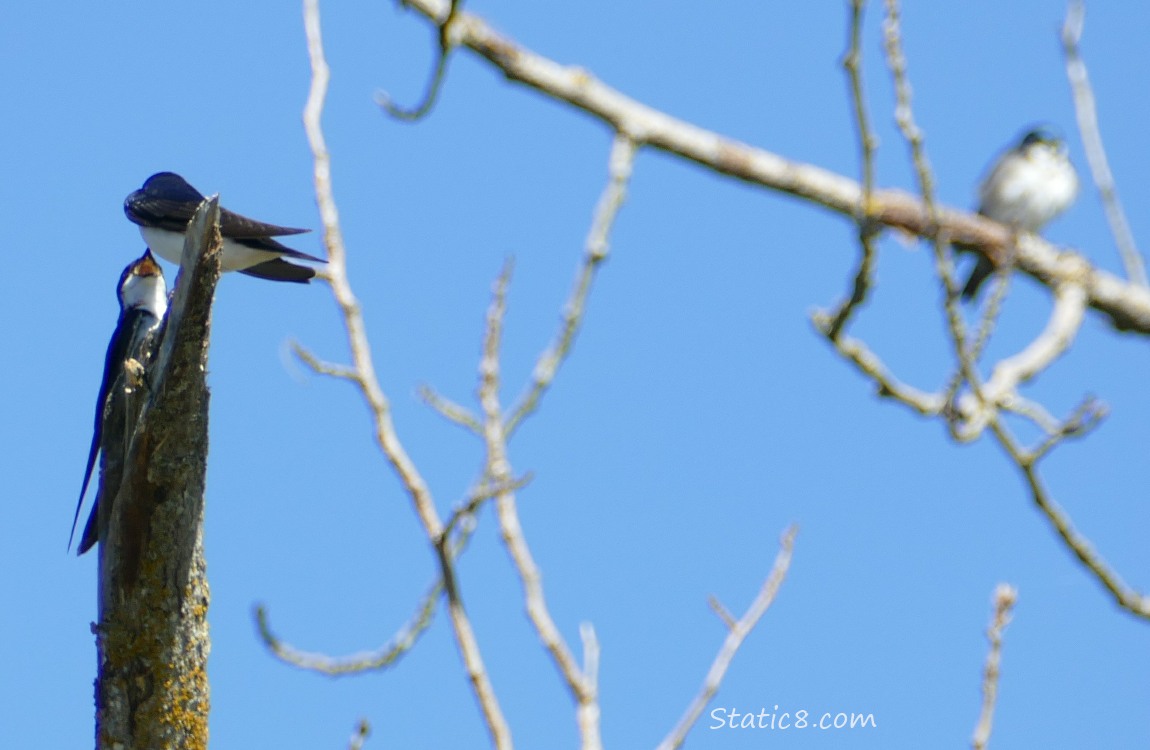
<point x="165" y="205"/>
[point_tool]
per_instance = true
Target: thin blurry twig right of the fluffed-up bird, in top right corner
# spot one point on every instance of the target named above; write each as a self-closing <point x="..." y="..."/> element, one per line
<point x="1092" y="142"/>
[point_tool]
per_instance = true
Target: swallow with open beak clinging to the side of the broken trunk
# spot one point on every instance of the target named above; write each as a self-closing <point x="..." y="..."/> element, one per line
<point x="143" y="304"/>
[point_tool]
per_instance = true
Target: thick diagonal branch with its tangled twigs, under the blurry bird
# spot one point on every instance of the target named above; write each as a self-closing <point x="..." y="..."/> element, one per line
<point x="1126" y="304"/>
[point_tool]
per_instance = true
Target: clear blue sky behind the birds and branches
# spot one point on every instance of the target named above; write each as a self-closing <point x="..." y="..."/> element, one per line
<point x="699" y="416"/>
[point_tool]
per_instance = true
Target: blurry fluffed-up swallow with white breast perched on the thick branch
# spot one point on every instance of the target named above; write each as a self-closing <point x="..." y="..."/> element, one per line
<point x="1026" y="188"/>
